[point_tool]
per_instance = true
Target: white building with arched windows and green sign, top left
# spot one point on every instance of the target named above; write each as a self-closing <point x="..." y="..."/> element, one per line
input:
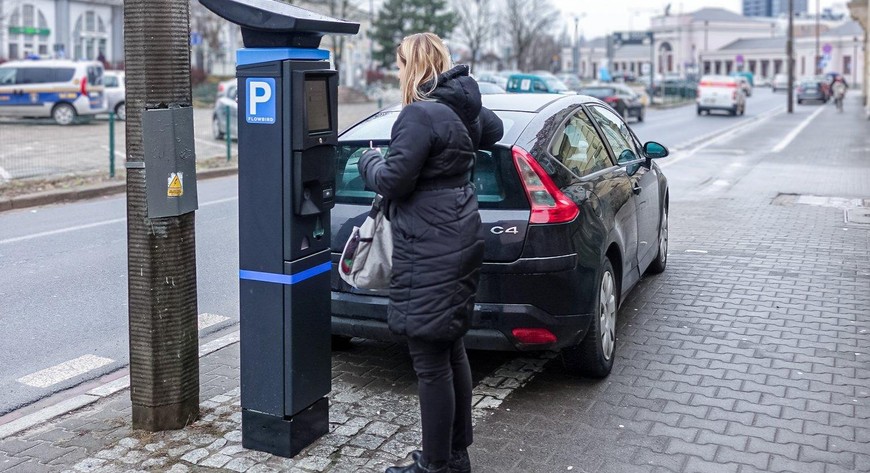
<point x="75" y="29"/>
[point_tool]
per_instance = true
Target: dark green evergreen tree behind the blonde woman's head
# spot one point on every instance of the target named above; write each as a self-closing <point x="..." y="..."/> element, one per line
<point x="400" y="18"/>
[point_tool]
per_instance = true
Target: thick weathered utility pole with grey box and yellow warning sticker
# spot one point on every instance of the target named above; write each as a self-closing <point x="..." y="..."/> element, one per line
<point x="161" y="199"/>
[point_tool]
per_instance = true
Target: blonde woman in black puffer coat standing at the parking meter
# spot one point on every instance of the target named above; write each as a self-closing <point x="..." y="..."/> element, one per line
<point x="437" y="252"/>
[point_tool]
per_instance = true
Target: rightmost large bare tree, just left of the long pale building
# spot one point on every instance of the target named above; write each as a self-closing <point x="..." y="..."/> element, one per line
<point x="526" y="22"/>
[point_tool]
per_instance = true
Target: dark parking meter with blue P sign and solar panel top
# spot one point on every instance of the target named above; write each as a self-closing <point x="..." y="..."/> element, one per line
<point x="287" y="132"/>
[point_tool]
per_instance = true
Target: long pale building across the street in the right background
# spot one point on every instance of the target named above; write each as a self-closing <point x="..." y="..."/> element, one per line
<point x="713" y="40"/>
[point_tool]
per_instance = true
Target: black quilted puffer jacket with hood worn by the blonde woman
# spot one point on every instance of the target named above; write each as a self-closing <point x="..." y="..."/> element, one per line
<point x="437" y="252"/>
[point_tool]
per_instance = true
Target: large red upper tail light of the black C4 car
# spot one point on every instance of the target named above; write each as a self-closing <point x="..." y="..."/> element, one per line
<point x="549" y="204"/>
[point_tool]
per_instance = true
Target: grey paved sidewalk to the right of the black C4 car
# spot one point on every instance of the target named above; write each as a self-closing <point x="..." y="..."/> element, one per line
<point x="751" y="353"/>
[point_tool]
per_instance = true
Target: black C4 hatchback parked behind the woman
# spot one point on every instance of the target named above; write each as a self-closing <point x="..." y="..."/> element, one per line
<point x="574" y="212"/>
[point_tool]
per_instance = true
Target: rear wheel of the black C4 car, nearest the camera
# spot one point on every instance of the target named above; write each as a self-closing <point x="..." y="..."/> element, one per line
<point x="594" y="355"/>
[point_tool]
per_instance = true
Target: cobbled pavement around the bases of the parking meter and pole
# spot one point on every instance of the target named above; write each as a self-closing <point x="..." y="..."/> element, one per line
<point x="374" y="421"/>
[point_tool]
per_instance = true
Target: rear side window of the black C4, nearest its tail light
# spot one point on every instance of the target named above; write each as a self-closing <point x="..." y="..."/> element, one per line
<point x="579" y="147"/>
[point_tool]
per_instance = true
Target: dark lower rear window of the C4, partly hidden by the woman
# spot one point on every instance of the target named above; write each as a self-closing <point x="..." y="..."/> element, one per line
<point x="494" y="177"/>
